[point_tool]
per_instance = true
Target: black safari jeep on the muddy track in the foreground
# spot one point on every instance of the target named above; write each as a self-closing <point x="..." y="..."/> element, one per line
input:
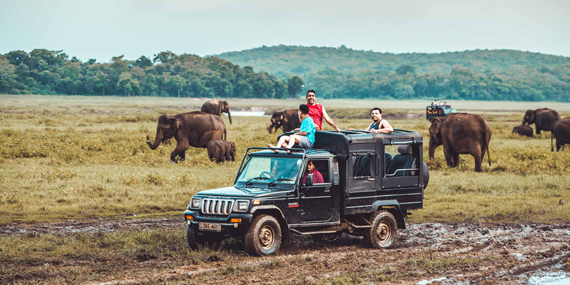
<point x="370" y="182"/>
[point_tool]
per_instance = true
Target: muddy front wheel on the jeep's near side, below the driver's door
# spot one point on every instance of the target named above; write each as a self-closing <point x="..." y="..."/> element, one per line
<point x="263" y="236"/>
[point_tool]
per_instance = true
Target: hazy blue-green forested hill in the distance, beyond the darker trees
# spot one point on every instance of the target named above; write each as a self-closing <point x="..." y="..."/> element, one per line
<point x="476" y="75"/>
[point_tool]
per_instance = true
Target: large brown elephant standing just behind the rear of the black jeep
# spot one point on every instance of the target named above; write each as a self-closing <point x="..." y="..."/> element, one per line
<point x="460" y="133"/>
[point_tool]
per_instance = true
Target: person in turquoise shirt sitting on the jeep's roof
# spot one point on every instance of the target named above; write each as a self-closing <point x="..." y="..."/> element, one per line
<point x="305" y="138"/>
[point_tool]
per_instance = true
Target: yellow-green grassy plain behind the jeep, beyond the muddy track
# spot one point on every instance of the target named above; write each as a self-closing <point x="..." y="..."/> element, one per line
<point x="86" y="157"/>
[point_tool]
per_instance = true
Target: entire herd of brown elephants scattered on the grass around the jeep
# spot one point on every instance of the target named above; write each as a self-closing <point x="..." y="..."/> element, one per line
<point x="459" y="133"/>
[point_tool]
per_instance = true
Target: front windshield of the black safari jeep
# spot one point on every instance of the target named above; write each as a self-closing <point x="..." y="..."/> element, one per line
<point x="271" y="170"/>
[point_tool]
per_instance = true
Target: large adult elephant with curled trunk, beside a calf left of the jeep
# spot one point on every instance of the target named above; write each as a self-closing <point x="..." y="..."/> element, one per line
<point x="194" y="129"/>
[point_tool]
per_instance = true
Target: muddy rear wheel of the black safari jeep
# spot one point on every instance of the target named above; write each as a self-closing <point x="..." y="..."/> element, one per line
<point x="384" y="230"/>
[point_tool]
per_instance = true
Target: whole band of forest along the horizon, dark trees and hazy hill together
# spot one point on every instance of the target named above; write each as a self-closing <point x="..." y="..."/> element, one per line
<point x="287" y="71"/>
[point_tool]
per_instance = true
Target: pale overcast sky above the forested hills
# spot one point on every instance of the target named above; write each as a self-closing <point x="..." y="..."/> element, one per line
<point x="103" y="29"/>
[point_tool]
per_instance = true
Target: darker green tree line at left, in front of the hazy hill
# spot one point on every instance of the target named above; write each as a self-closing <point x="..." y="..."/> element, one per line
<point x="167" y="74"/>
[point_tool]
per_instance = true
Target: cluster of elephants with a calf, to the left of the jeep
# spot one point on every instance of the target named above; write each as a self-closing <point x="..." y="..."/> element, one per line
<point x="202" y="129"/>
